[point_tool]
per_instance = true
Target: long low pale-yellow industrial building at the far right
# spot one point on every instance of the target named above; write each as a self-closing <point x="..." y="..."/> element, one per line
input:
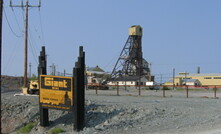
<point x="196" y="80"/>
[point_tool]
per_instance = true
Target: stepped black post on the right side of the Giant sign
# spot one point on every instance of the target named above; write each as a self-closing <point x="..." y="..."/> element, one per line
<point x="79" y="93"/>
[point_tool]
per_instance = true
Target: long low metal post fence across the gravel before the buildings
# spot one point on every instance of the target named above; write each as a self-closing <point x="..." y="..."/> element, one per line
<point x="159" y="91"/>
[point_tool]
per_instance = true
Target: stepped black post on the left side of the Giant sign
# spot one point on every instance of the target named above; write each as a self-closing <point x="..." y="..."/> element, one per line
<point x="42" y="69"/>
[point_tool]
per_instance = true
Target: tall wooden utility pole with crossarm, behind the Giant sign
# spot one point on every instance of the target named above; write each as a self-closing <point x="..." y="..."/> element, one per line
<point x="26" y="36"/>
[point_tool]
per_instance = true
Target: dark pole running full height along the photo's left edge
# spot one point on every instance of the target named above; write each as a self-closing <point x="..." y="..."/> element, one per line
<point x="1" y="11"/>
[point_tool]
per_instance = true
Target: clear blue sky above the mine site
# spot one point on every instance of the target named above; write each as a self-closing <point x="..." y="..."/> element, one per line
<point x="180" y="34"/>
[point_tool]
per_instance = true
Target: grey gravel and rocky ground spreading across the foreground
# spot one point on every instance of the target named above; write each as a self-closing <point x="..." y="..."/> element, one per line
<point x="128" y="113"/>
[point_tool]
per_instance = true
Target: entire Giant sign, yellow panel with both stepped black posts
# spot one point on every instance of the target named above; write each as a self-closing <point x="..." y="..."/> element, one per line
<point x="62" y="93"/>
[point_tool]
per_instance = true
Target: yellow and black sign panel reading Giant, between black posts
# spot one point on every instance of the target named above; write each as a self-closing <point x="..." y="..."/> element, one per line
<point x="56" y="92"/>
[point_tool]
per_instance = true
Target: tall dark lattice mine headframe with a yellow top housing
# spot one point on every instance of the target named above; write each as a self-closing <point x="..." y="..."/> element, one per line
<point x="130" y="61"/>
